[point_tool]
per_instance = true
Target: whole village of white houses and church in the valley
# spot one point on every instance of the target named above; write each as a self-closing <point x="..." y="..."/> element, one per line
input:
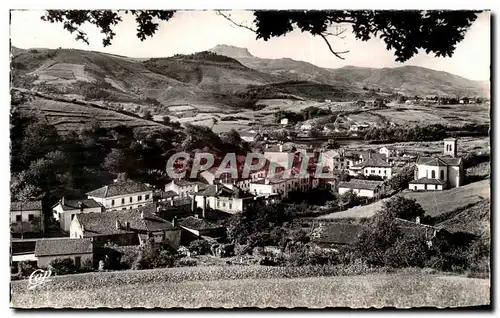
<point x="190" y="212"/>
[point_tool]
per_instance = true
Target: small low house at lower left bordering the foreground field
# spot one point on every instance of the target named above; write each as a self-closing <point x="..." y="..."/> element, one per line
<point x="80" y="250"/>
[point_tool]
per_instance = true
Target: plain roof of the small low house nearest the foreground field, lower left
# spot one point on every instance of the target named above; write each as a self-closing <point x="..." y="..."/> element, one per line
<point x="63" y="246"/>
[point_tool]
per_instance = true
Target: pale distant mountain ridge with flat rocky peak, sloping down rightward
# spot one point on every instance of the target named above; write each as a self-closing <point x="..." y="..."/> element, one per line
<point x="410" y="80"/>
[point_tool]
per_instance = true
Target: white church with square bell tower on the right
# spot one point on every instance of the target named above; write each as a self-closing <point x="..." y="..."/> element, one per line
<point x="439" y="172"/>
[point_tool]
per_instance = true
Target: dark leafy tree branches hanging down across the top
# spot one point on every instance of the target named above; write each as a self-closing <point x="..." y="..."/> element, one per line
<point x="405" y="32"/>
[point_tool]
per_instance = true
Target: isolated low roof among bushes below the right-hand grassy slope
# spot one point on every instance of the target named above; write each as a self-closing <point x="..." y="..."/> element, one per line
<point x="336" y="233"/>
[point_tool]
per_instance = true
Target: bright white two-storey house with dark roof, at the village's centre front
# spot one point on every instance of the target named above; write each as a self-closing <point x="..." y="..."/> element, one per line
<point x="229" y="199"/>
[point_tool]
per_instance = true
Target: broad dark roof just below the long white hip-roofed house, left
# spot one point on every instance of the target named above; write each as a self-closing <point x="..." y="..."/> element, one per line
<point x="105" y="223"/>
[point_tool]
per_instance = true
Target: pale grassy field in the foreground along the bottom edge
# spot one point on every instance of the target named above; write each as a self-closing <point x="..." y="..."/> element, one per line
<point x="402" y="289"/>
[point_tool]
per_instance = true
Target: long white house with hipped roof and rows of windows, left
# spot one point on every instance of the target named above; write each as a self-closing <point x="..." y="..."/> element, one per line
<point x="122" y="195"/>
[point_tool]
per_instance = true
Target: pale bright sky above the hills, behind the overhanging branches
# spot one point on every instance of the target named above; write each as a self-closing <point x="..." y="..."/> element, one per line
<point x="194" y="31"/>
